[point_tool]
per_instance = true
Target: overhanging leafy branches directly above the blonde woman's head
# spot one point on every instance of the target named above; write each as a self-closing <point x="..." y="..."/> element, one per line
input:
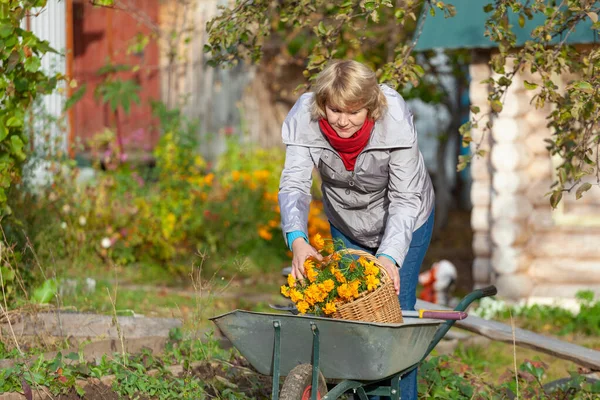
<point x="319" y="31"/>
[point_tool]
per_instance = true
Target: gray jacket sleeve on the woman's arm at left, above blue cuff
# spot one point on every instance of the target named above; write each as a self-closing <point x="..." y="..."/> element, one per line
<point x="294" y="190"/>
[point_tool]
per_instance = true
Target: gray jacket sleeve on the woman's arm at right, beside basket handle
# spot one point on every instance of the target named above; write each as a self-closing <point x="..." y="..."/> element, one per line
<point x="407" y="178"/>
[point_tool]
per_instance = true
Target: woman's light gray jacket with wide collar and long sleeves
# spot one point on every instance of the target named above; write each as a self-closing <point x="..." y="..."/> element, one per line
<point x="382" y="202"/>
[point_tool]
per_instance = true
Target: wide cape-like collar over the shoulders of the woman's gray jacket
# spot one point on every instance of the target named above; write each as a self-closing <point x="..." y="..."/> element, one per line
<point x="394" y="130"/>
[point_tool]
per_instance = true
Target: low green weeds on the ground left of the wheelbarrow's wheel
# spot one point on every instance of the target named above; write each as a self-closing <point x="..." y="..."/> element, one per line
<point x="213" y="377"/>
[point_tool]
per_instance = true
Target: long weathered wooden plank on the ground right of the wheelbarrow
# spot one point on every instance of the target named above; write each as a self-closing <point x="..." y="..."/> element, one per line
<point x="502" y="332"/>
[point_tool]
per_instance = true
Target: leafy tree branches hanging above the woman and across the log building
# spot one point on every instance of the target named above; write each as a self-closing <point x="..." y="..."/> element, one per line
<point x="383" y="33"/>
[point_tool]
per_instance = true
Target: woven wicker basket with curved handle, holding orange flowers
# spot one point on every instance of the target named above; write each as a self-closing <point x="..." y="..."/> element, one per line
<point x="380" y="305"/>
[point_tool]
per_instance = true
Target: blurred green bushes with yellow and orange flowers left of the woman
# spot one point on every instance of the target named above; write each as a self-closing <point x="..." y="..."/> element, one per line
<point x="163" y="213"/>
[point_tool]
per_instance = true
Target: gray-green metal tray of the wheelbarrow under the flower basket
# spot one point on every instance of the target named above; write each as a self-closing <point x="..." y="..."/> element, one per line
<point x="348" y="349"/>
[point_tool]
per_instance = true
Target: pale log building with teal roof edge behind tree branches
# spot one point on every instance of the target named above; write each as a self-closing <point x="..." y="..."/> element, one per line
<point x="523" y="246"/>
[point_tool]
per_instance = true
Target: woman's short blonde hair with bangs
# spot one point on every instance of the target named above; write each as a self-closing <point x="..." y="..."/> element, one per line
<point x="346" y="84"/>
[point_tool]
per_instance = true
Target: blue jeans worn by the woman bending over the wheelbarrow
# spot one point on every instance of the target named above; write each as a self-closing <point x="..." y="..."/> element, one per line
<point x="409" y="278"/>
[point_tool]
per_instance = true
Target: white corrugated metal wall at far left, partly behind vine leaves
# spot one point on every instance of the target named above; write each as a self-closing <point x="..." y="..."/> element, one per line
<point x="49" y="24"/>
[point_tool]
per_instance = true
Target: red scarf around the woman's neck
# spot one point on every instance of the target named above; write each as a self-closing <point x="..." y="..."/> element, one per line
<point x="348" y="148"/>
